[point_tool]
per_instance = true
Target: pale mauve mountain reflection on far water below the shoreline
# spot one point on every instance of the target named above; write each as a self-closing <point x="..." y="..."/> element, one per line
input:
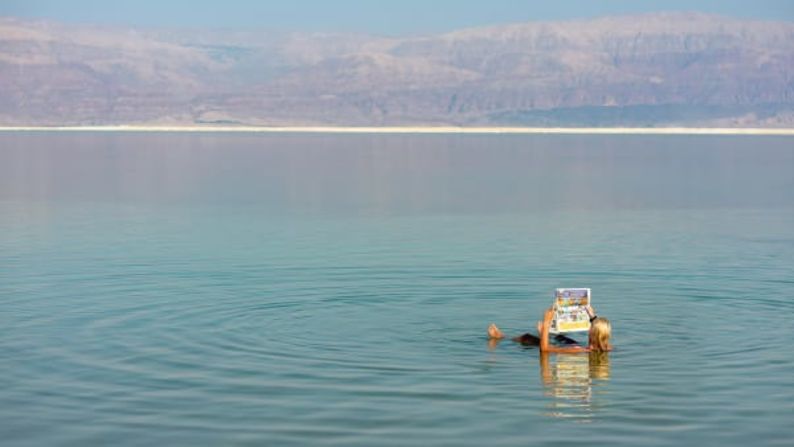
<point x="397" y="174"/>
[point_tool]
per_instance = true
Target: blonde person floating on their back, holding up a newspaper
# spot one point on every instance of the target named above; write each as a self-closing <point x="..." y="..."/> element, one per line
<point x="598" y="337"/>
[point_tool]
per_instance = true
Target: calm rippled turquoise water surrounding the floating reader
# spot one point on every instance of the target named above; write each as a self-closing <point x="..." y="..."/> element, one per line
<point x="178" y="289"/>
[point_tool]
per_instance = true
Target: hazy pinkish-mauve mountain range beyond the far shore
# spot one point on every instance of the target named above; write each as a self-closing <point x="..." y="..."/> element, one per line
<point x="651" y="70"/>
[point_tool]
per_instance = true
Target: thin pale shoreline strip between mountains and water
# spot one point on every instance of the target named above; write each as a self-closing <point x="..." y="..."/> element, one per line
<point x="414" y="130"/>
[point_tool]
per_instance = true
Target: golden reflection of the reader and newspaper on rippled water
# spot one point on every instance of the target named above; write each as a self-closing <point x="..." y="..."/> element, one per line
<point x="575" y="383"/>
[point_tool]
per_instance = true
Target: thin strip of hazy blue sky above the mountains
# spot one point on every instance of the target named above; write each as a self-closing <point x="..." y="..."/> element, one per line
<point x="374" y="16"/>
